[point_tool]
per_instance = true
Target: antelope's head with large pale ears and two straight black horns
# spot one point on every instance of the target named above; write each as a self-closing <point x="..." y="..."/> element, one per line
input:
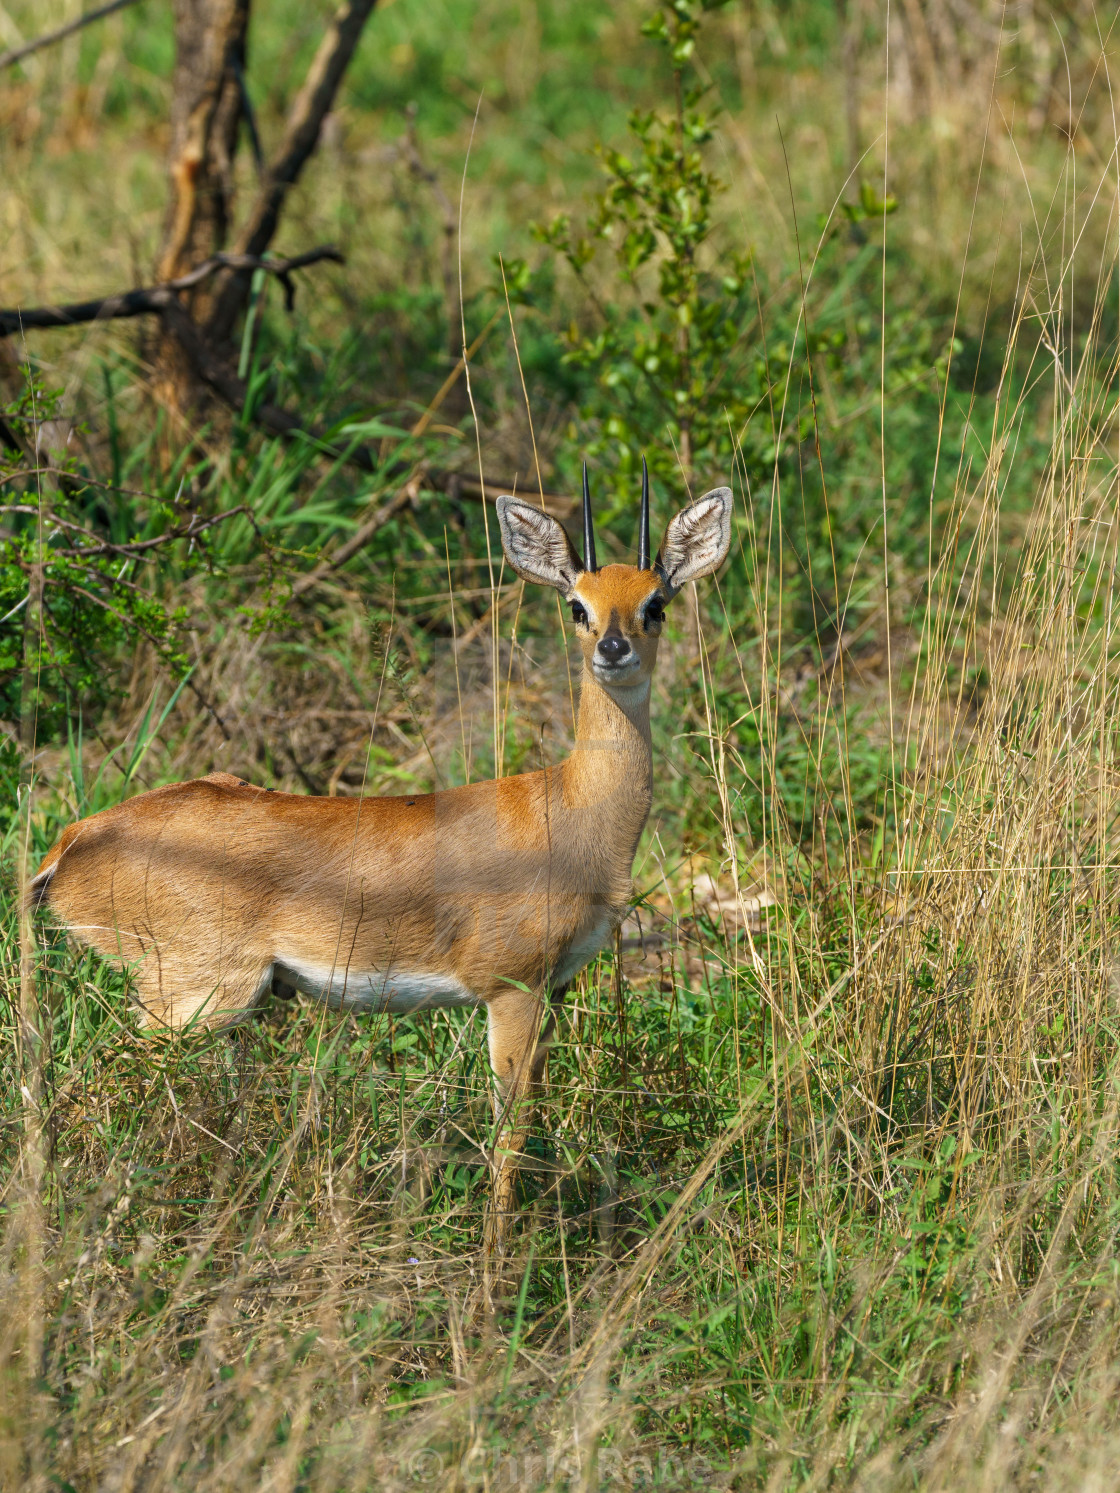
<point x="619" y="608"/>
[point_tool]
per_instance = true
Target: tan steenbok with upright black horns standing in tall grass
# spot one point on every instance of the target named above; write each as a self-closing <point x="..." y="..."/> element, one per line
<point x="495" y="894"/>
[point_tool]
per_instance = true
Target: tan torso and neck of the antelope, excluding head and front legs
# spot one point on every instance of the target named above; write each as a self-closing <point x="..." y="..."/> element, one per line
<point x="207" y="889"/>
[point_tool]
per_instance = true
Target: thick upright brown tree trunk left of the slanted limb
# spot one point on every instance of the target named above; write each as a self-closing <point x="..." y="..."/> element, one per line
<point x="207" y="116"/>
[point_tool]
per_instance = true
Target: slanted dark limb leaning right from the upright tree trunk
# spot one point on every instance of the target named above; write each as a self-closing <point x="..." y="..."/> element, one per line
<point x="301" y="138"/>
